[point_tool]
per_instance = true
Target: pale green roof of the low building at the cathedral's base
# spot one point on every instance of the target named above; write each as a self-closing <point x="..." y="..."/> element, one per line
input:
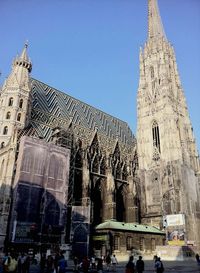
<point x="111" y="224"/>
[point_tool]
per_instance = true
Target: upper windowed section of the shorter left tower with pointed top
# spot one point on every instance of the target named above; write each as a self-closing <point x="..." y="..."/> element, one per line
<point x="15" y="98"/>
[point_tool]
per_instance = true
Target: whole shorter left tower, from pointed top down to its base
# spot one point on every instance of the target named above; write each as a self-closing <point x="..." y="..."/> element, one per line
<point x="15" y="108"/>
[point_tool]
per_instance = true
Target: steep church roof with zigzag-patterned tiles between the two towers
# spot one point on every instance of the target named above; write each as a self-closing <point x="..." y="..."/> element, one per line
<point x="52" y="107"/>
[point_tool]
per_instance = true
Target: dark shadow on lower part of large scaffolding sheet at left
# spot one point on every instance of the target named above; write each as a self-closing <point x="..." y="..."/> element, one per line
<point x="37" y="218"/>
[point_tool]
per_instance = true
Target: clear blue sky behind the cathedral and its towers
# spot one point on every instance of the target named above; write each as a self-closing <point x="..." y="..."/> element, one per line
<point x="89" y="48"/>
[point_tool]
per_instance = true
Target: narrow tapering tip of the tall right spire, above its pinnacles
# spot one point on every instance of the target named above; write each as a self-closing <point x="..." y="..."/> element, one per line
<point x="156" y="29"/>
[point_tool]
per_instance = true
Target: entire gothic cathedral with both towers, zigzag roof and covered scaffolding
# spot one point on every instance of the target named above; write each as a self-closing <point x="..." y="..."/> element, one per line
<point x="67" y="169"/>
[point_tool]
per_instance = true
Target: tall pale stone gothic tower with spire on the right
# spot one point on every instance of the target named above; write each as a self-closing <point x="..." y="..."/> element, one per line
<point x="167" y="153"/>
